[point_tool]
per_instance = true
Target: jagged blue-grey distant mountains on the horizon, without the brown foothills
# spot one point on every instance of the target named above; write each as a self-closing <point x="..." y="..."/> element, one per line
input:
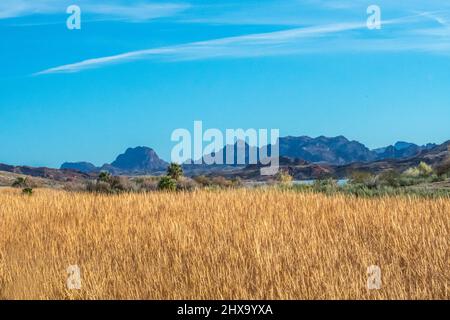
<point x="336" y="151"/>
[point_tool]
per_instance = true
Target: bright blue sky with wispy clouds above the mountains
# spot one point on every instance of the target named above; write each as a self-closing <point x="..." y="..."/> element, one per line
<point x="137" y="70"/>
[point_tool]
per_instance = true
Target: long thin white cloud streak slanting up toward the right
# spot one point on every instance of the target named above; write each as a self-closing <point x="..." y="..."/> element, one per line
<point x="340" y="37"/>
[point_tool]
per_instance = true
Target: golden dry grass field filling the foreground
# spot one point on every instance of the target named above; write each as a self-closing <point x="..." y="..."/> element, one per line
<point x="235" y="244"/>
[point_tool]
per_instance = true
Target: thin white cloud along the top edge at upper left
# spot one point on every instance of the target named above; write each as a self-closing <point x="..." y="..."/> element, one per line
<point x="133" y="11"/>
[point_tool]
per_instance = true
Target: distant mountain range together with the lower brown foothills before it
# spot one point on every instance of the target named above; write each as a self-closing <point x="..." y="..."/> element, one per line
<point x="302" y="157"/>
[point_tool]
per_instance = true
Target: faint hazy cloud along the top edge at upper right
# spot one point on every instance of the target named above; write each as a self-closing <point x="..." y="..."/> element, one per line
<point x="303" y="12"/>
